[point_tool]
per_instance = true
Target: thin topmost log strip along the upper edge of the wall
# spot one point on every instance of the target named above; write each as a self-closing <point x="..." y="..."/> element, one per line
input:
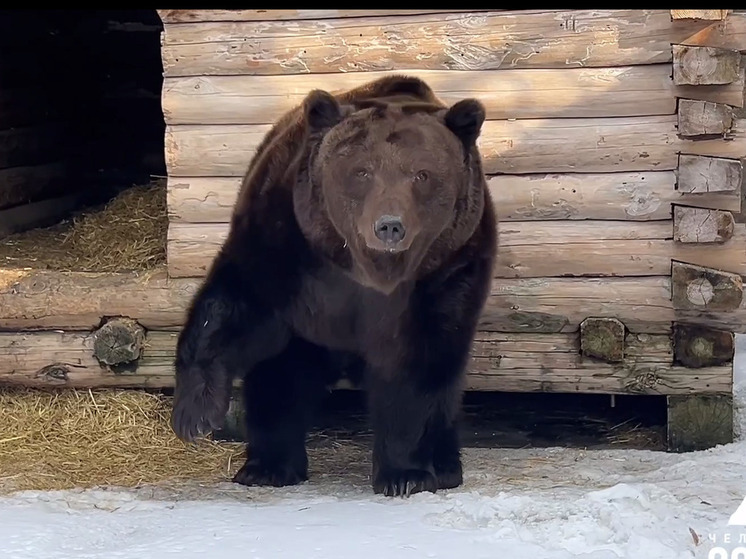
<point x="195" y="16"/>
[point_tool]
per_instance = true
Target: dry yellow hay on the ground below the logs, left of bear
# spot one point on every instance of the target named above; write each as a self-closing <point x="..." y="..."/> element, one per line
<point x="80" y="438"/>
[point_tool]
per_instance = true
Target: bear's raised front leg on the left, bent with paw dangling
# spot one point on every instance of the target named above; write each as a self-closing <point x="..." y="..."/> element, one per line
<point x="227" y="331"/>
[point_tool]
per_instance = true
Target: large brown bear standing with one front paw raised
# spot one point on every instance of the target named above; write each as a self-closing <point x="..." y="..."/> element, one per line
<point x="361" y="245"/>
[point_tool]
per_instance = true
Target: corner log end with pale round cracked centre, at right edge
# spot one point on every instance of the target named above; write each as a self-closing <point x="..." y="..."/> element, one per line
<point x="695" y="287"/>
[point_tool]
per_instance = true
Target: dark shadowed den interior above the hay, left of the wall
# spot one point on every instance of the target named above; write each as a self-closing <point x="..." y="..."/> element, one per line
<point x="79" y="109"/>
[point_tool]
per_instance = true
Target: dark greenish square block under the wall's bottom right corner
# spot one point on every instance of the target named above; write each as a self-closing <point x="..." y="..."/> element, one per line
<point x="699" y="422"/>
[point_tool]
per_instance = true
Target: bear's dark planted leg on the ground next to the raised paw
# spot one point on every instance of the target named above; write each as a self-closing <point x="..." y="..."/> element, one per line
<point x="281" y="395"/>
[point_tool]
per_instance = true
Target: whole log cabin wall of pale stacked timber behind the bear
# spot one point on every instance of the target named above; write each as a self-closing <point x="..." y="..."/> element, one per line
<point x="613" y="147"/>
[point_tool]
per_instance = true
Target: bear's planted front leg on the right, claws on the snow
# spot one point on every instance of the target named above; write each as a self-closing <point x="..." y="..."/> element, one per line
<point x="415" y="401"/>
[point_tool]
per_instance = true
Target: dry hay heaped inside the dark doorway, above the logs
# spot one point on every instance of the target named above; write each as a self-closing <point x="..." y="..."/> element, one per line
<point x="126" y="234"/>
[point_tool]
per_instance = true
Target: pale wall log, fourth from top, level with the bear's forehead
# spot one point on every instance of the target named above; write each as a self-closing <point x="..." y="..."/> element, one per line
<point x="590" y="145"/>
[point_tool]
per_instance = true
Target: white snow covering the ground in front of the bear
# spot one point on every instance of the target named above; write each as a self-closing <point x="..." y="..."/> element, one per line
<point x="535" y="503"/>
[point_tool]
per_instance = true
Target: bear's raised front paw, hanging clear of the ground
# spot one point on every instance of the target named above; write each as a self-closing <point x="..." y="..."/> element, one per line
<point x="198" y="411"/>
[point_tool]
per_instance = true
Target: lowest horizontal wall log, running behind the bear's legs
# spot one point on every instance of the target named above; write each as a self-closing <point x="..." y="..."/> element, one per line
<point x="505" y="362"/>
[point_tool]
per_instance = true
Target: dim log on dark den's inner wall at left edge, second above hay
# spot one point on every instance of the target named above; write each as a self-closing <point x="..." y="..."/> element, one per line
<point x="19" y="185"/>
